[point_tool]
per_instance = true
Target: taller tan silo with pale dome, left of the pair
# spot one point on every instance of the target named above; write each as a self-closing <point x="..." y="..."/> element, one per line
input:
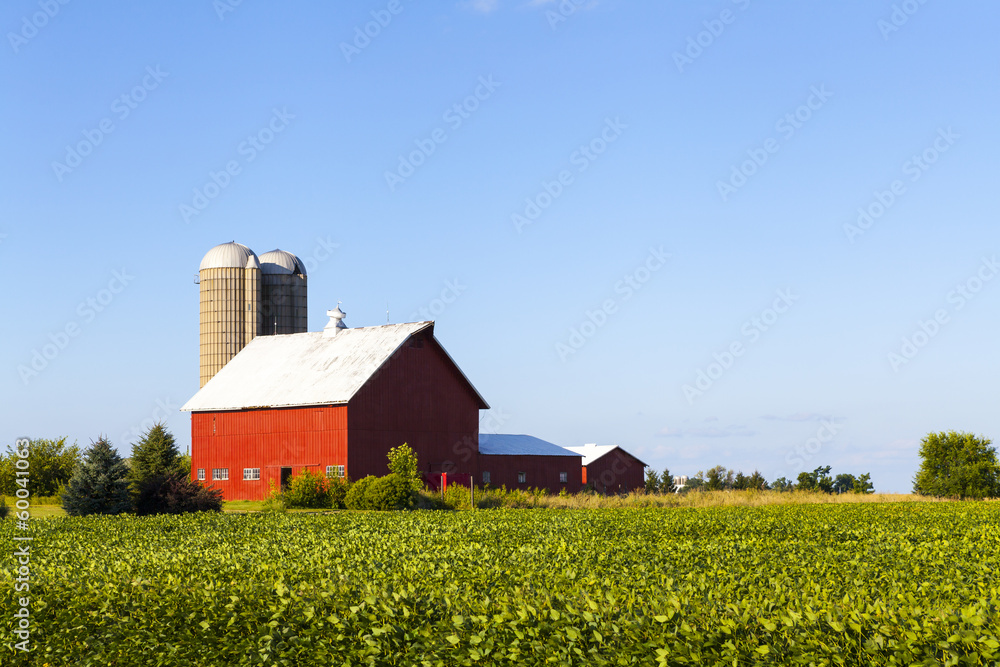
<point x="230" y="279"/>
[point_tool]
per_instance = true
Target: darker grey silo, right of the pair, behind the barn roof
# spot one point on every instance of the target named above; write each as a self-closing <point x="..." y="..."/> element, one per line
<point x="283" y="294"/>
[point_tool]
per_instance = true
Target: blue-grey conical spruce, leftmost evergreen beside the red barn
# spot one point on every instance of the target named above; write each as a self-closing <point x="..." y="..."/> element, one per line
<point x="100" y="483"/>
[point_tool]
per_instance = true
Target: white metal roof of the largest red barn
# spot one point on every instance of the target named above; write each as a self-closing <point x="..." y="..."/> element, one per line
<point x="304" y="369"/>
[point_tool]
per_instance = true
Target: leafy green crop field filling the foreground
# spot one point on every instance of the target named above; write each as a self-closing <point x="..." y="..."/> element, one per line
<point x="839" y="584"/>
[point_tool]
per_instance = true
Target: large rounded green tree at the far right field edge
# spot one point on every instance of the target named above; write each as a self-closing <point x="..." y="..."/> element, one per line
<point x="957" y="465"/>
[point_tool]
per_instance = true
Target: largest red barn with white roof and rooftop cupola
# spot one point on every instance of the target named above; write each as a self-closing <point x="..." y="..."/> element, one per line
<point x="333" y="402"/>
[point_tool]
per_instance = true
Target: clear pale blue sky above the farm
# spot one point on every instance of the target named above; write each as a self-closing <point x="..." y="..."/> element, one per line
<point x="590" y="142"/>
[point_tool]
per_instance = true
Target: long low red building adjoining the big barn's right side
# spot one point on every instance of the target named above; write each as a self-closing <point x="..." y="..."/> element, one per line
<point x="525" y="462"/>
